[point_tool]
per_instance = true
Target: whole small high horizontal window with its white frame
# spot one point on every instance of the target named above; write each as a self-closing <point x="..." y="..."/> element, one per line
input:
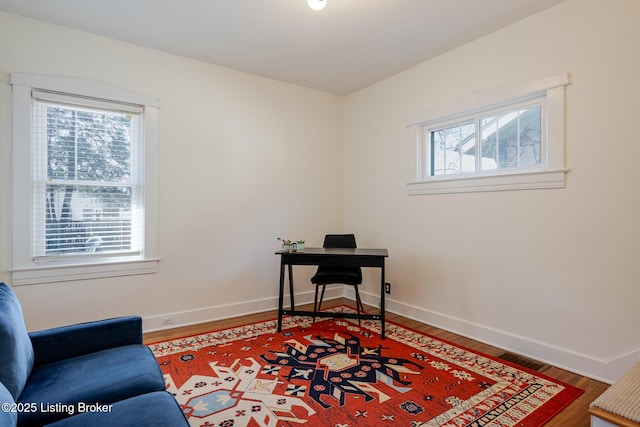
<point x="501" y="139"/>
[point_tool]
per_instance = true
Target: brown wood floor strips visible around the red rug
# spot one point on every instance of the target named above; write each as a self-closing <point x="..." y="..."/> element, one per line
<point x="575" y="415"/>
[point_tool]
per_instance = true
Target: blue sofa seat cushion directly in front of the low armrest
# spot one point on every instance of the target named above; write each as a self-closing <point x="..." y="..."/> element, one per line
<point x="105" y="377"/>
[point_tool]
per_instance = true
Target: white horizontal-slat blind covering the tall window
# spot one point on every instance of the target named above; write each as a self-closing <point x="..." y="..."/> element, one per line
<point x="87" y="177"/>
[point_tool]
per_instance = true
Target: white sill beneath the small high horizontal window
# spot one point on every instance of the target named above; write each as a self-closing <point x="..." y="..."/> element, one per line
<point x="476" y="183"/>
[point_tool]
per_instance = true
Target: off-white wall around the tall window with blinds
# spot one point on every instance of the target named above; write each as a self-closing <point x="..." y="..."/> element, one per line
<point x="242" y="160"/>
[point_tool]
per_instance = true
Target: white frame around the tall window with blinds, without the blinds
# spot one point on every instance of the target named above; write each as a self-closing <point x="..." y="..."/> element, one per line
<point x="25" y="268"/>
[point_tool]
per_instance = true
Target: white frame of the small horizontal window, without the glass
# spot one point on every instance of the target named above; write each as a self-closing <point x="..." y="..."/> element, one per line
<point x="549" y="174"/>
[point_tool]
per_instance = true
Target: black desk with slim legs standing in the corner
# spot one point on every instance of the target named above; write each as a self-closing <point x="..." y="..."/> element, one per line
<point x="338" y="257"/>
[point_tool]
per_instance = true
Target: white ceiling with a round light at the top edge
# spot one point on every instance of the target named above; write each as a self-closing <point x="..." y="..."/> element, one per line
<point x="341" y="49"/>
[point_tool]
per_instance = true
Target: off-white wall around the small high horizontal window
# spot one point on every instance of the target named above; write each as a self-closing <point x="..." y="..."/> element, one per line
<point x="552" y="274"/>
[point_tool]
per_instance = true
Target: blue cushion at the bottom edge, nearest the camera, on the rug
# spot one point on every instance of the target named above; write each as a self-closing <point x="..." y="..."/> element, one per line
<point x="158" y="409"/>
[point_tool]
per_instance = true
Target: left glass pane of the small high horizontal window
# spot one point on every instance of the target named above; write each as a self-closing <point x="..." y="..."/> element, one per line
<point x="453" y="149"/>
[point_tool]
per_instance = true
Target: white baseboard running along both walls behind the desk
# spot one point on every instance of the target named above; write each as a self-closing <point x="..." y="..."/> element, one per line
<point x="607" y="371"/>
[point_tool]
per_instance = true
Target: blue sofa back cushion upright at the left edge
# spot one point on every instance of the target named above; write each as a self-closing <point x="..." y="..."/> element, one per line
<point x="16" y="351"/>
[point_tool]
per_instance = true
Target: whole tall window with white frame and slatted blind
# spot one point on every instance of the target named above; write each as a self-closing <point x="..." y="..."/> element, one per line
<point x="86" y="205"/>
